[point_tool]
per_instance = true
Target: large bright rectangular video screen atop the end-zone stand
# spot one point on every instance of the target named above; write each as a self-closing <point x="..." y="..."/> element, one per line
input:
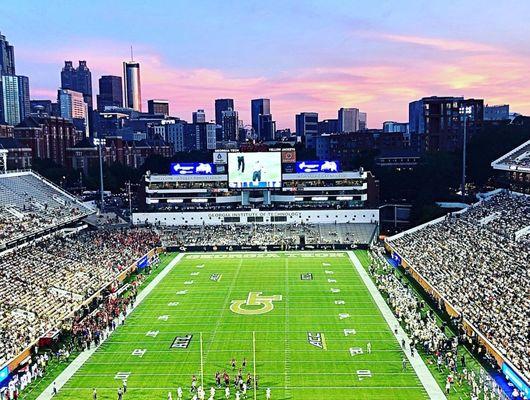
<point x="255" y="170"/>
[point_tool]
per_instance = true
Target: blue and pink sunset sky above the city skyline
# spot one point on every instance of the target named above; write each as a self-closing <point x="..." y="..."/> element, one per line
<point x="303" y="55"/>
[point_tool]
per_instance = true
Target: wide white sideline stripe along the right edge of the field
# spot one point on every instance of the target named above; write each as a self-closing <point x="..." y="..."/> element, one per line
<point x="427" y="380"/>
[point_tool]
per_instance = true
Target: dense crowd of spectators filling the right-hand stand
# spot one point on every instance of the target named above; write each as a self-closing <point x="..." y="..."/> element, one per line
<point x="478" y="261"/>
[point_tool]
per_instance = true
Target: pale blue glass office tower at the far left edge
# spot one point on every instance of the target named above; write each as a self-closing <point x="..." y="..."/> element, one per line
<point x="14" y="96"/>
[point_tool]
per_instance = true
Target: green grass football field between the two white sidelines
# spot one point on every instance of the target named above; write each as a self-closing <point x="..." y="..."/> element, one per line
<point x="285" y="360"/>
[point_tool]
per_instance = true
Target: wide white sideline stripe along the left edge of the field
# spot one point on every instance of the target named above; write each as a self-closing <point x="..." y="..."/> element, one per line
<point x="80" y="360"/>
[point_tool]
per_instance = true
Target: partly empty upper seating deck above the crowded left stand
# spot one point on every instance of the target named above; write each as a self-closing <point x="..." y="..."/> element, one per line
<point x="29" y="204"/>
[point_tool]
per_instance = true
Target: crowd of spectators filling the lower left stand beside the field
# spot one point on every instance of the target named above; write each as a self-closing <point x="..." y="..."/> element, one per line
<point x="45" y="281"/>
